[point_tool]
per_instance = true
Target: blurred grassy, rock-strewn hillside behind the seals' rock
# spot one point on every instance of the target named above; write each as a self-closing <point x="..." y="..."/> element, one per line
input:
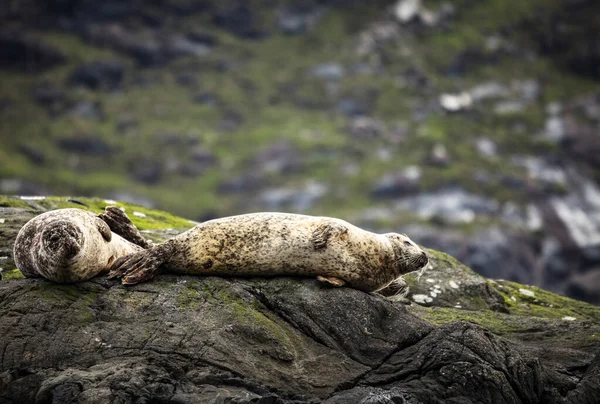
<point x="471" y="125"/>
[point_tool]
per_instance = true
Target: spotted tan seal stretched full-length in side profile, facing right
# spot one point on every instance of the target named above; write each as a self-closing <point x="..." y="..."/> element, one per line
<point x="270" y="243"/>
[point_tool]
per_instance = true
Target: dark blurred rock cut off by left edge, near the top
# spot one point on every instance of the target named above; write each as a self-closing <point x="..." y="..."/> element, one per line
<point x="20" y="52"/>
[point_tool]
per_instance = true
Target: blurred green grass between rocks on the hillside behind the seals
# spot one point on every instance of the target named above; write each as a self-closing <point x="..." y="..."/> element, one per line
<point x="267" y="94"/>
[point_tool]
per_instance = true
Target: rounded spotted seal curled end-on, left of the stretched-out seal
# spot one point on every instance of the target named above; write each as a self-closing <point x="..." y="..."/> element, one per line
<point x="74" y="245"/>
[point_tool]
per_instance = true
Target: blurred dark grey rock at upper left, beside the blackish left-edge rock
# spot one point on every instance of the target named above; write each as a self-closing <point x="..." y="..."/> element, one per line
<point x="98" y="75"/>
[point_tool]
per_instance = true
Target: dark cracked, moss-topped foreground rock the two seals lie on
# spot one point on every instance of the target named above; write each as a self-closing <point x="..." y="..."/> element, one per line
<point x="182" y="339"/>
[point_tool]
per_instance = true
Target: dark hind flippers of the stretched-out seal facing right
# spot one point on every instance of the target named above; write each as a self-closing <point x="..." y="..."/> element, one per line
<point x="137" y="267"/>
